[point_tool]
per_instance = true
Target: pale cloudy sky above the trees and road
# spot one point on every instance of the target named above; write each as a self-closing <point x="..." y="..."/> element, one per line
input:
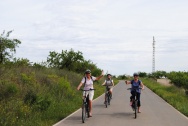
<point x="116" y="35"/>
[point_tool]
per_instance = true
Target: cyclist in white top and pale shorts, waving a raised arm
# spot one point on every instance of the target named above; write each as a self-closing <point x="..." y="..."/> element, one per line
<point x="88" y="84"/>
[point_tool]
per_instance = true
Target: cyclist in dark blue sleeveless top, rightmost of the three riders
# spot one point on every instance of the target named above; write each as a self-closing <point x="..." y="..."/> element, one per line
<point x="136" y="83"/>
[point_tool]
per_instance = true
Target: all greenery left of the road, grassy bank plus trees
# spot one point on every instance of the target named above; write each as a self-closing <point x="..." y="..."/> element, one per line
<point x="41" y="94"/>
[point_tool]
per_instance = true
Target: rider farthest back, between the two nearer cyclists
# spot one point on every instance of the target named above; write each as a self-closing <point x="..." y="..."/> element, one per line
<point x="109" y="84"/>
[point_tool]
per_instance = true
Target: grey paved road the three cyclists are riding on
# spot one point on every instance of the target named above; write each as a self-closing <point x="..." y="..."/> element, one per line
<point x="155" y="111"/>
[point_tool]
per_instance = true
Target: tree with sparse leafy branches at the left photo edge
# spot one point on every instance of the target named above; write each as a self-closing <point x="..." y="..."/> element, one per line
<point x="7" y="47"/>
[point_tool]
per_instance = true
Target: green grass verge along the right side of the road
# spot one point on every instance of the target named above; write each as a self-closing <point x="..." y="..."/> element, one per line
<point x="171" y="94"/>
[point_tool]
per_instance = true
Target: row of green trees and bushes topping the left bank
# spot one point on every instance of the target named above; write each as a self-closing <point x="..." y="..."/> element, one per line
<point x="66" y="59"/>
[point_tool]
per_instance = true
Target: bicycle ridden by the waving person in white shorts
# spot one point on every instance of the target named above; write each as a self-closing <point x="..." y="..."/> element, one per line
<point x="85" y="105"/>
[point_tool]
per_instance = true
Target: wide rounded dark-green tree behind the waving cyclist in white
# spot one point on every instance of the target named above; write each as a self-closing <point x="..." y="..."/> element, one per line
<point x="73" y="61"/>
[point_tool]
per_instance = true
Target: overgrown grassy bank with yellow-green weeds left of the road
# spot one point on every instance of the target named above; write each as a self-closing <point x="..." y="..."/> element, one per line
<point x="39" y="97"/>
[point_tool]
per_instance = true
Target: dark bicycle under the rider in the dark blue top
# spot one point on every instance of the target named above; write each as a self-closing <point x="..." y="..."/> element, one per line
<point x="134" y="101"/>
